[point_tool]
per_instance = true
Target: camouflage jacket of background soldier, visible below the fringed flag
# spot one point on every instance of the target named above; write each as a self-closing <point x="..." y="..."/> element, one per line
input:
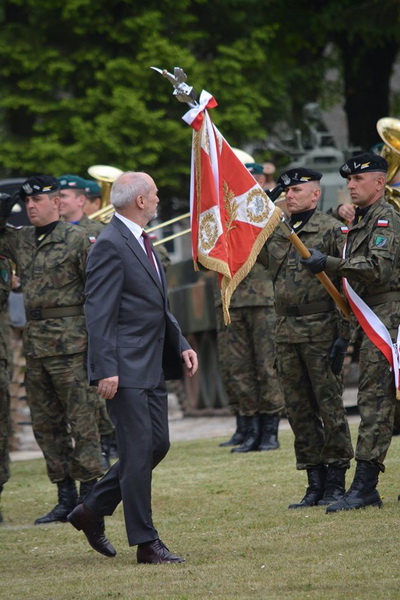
<point x="256" y="289"/>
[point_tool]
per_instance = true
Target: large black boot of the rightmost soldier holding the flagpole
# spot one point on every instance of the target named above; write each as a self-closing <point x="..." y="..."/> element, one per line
<point x="362" y="491"/>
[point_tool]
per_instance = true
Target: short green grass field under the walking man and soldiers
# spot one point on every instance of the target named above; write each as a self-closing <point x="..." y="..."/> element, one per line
<point x="227" y="514"/>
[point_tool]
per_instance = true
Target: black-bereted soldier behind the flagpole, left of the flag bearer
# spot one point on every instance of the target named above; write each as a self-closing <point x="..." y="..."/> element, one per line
<point x="310" y="344"/>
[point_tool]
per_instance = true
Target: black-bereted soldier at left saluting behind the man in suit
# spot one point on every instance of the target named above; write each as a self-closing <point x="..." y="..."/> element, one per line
<point x="50" y="260"/>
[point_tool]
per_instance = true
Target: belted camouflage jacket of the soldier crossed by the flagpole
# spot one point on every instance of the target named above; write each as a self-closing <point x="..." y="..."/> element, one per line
<point x="294" y="285"/>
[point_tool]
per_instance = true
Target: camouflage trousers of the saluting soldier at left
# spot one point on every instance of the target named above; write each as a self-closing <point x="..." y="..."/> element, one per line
<point x="64" y="416"/>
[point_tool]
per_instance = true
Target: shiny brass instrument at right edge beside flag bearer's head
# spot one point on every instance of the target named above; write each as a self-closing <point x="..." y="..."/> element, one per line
<point x="389" y="131"/>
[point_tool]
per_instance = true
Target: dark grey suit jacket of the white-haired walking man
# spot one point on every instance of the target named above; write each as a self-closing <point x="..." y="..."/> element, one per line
<point x="132" y="333"/>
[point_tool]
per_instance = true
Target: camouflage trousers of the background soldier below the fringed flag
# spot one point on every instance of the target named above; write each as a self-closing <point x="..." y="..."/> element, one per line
<point x="246" y="353"/>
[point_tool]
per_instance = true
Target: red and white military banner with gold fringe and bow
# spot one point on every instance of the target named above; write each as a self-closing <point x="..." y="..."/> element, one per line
<point x="231" y="215"/>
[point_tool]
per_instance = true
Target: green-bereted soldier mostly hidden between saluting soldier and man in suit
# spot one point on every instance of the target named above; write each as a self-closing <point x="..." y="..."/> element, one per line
<point x="73" y="190"/>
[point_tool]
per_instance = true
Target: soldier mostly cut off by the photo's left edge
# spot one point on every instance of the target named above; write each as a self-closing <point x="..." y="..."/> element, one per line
<point x="5" y="422"/>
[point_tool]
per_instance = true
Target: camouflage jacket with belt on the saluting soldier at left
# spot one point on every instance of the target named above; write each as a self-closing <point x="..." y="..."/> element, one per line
<point x="52" y="275"/>
